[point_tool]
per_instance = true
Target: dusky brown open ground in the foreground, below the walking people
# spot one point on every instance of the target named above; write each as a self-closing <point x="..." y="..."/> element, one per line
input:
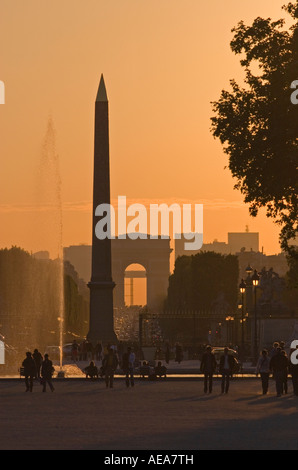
<point x="165" y="415"/>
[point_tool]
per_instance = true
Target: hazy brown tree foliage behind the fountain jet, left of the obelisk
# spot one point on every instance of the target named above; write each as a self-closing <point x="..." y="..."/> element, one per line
<point x="30" y="302"/>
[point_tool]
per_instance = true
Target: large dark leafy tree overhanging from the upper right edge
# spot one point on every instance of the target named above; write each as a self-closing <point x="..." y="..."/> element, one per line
<point x="258" y="125"/>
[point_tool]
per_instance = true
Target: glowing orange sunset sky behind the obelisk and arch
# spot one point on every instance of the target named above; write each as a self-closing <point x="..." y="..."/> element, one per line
<point x="163" y="62"/>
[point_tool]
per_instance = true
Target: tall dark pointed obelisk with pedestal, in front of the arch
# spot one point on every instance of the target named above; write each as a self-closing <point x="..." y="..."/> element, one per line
<point x="101" y="286"/>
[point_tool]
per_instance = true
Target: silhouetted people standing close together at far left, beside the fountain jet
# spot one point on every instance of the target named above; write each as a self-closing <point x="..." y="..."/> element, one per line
<point x="37" y="367"/>
